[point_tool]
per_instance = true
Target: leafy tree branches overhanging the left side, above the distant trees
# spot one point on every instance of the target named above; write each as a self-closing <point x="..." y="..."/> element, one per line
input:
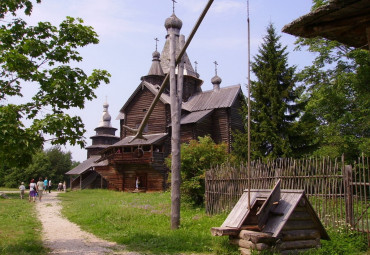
<point x="38" y="57"/>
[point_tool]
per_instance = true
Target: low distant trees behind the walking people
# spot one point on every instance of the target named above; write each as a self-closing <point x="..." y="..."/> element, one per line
<point x="52" y="163"/>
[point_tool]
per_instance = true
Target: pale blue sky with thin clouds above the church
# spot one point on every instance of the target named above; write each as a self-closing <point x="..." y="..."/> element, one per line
<point x="127" y="29"/>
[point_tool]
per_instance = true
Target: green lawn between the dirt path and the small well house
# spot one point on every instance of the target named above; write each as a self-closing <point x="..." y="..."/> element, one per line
<point x="141" y="222"/>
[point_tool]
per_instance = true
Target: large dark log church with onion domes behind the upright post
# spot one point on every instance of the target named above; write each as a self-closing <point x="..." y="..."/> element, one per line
<point x="138" y="165"/>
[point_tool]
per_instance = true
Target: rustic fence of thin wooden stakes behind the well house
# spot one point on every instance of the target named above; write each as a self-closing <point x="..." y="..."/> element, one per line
<point x="339" y="193"/>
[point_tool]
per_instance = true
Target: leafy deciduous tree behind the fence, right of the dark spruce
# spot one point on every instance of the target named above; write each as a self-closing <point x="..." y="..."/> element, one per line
<point x="338" y="96"/>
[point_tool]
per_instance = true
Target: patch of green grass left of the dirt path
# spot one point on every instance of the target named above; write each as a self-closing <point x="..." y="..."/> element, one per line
<point x="20" y="231"/>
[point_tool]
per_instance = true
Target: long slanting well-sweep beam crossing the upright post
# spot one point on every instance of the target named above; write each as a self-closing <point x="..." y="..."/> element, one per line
<point x="139" y="134"/>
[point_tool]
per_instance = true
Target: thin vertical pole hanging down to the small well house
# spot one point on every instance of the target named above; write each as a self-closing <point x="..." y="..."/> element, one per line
<point x="249" y="110"/>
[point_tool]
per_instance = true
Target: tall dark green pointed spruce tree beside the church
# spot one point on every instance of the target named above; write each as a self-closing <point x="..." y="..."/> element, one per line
<point x="273" y="100"/>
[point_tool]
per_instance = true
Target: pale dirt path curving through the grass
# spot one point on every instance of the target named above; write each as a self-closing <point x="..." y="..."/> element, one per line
<point x="66" y="238"/>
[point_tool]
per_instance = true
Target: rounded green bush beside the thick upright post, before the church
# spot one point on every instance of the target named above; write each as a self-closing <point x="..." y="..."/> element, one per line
<point x="197" y="156"/>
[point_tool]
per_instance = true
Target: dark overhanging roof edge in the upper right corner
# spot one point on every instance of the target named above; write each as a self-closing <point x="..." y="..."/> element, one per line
<point x="343" y="21"/>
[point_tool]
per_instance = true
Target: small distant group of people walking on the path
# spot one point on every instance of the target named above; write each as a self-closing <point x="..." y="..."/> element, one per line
<point x="39" y="188"/>
